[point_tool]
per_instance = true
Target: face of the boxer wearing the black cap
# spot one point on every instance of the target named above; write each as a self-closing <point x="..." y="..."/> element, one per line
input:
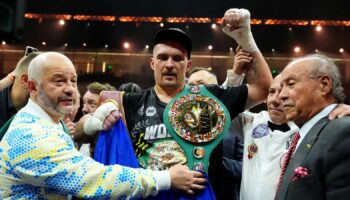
<point x="170" y="64"/>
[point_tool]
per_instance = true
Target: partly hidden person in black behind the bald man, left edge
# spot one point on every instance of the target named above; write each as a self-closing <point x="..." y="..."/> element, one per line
<point x="15" y="96"/>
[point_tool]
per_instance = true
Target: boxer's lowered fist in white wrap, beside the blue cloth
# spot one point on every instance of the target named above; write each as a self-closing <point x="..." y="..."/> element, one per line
<point x="103" y="118"/>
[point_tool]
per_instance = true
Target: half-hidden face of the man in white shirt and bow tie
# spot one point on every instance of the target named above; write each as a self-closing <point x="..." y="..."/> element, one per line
<point x="274" y="104"/>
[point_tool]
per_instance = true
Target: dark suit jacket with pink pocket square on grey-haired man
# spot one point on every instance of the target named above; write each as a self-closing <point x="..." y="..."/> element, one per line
<point x="325" y="153"/>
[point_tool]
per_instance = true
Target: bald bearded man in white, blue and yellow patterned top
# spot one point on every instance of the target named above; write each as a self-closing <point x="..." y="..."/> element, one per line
<point x="38" y="159"/>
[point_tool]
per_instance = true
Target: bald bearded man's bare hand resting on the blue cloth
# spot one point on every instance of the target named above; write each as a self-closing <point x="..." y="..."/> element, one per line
<point x="185" y="180"/>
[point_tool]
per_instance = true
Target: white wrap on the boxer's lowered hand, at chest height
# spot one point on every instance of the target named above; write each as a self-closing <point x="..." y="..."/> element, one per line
<point x="95" y="122"/>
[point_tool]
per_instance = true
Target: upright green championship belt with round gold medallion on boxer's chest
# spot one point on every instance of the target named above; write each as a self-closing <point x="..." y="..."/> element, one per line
<point x="197" y="120"/>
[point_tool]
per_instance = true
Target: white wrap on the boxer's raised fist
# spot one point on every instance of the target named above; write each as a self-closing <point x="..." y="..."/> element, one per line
<point x="238" y="20"/>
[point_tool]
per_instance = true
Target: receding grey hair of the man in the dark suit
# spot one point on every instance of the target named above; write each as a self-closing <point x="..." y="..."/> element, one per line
<point x="323" y="65"/>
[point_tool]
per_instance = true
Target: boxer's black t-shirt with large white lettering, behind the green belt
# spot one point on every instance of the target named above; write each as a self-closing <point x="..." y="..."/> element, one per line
<point x="154" y="146"/>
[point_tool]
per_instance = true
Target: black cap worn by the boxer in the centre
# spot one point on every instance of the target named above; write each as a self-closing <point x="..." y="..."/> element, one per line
<point x="174" y="34"/>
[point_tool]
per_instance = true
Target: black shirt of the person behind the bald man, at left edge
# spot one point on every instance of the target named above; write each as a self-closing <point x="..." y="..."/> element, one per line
<point x="7" y="109"/>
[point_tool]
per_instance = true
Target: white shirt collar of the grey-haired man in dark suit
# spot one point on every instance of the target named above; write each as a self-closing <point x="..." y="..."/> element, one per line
<point x="309" y="124"/>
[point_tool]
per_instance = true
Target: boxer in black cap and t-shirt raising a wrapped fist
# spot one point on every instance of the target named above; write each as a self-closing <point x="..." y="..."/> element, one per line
<point x="170" y="62"/>
